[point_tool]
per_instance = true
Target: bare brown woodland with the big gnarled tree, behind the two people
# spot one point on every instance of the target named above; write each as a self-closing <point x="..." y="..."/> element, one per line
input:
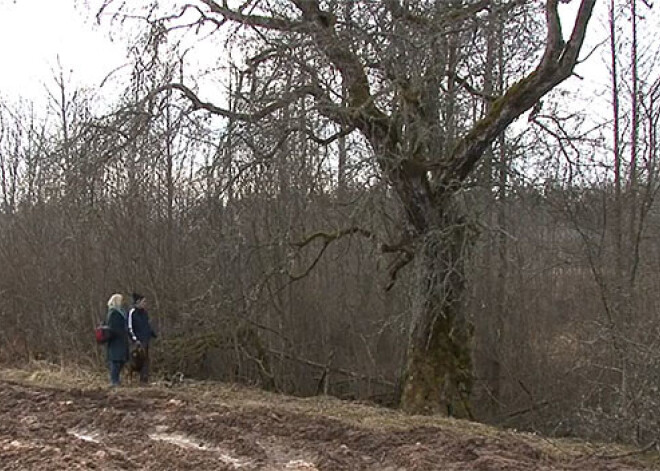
<point x="409" y="203"/>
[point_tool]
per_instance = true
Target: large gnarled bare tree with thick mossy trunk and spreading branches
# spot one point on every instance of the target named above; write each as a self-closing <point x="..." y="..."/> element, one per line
<point x="395" y="73"/>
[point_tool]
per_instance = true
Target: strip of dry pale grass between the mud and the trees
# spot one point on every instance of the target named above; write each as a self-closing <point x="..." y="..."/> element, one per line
<point x="355" y="414"/>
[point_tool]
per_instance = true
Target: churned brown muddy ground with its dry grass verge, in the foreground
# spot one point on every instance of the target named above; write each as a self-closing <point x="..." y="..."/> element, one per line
<point x="202" y="428"/>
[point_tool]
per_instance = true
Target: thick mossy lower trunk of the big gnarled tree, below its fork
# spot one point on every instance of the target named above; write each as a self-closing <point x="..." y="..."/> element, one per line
<point x="438" y="376"/>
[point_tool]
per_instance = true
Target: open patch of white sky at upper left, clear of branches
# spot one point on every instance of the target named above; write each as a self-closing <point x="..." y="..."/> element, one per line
<point x="32" y="35"/>
